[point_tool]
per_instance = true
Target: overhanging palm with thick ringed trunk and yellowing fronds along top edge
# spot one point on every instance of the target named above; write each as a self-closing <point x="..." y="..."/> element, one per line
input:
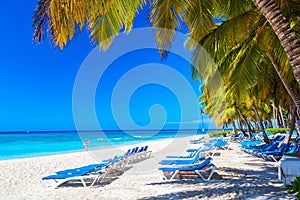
<point x="105" y="19"/>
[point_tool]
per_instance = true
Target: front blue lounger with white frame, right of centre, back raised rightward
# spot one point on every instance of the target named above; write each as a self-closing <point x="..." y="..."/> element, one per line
<point x="200" y="169"/>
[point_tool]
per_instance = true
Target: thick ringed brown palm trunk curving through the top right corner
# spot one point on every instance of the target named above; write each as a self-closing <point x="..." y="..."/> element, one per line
<point x="288" y="39"/>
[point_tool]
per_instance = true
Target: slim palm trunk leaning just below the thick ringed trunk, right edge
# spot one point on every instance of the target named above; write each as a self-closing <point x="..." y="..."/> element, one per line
<point x="293" y="94"/>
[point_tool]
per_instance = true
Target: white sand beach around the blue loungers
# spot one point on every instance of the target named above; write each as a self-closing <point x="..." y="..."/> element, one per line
<point x="241" y="176"/>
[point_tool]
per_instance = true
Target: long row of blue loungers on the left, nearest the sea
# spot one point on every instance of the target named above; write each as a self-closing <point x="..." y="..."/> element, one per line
<point x="91" y="174"/>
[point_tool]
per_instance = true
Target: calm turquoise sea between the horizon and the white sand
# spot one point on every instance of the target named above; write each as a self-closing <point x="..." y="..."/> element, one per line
<point x="29" y="144"/>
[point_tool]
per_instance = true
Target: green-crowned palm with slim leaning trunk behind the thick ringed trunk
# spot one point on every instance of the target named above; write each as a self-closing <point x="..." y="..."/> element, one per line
<point x="239" y="45"/>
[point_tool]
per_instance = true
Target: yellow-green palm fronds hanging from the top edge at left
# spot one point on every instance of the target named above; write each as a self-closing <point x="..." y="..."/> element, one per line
<point x="104" y="19"/>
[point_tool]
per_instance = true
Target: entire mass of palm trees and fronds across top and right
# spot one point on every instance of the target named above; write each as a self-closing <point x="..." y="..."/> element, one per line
<point x="253" y="74"/>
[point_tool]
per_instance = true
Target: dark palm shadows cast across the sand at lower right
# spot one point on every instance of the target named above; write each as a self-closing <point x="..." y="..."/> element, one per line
<point x="236" y="184"/>
